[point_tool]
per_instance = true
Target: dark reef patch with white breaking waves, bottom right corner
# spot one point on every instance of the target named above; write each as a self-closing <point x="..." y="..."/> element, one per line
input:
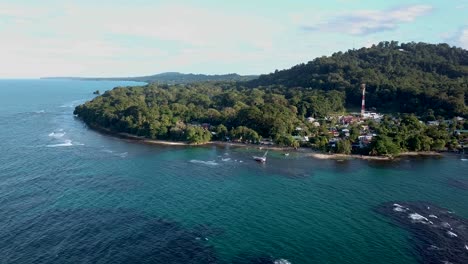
<point x="438" y="235"/>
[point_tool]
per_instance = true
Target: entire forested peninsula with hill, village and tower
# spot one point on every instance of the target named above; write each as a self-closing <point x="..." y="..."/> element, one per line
<point x="416" y="95"/>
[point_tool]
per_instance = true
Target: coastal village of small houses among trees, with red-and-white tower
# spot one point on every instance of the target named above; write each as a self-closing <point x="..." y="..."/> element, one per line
<point x="357" y="127"/>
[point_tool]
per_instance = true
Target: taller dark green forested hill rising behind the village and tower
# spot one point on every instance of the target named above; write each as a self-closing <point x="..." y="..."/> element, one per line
<point x="408" y="78"/>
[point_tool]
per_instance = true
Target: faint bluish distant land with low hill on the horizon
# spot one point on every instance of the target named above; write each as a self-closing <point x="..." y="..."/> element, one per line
<point x="170" y="78"/>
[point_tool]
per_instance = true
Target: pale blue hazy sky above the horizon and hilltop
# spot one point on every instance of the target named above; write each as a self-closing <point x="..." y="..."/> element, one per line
<point x="142" y="37"/>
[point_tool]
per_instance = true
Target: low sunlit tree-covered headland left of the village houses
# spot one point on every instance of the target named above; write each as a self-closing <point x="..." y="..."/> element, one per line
<point x="176" y="112"/>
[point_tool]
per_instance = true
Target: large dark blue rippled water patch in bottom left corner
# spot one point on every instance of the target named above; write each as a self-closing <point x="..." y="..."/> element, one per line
<point x="101" y="236"/>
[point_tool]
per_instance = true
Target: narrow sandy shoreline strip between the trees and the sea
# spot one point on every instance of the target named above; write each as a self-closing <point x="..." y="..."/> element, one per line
<point x="308" y="152"/>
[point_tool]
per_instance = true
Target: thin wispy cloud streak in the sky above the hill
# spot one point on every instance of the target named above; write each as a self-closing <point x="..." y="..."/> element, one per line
<point x="365" y="22"/>
